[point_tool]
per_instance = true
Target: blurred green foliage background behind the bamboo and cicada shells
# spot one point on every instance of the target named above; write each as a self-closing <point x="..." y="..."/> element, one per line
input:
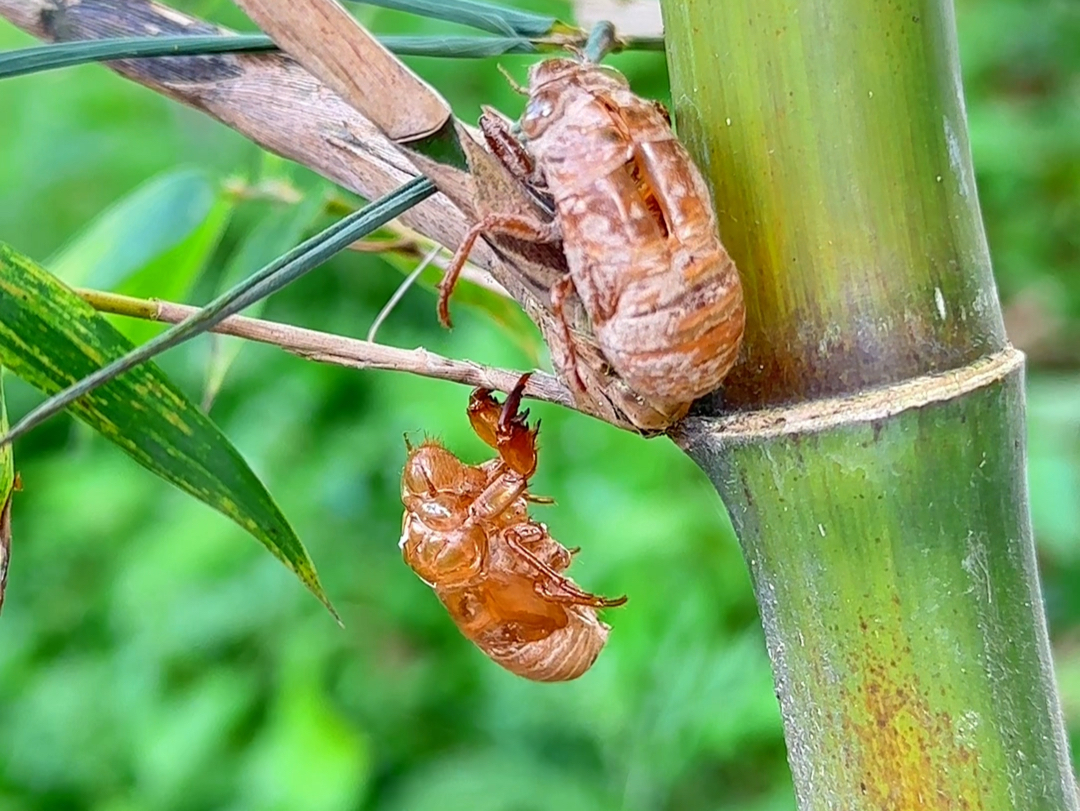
<point x="154" y="657"/>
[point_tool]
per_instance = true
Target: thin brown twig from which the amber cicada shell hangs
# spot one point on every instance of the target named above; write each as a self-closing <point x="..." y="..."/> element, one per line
<point x="339" y="350"/>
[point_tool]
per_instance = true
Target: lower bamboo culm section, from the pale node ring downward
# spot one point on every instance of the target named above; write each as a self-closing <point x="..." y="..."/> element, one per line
<point x="896" y="574"/>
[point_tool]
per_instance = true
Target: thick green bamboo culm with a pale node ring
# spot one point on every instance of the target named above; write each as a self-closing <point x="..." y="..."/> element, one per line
<point x="873" y="458"/>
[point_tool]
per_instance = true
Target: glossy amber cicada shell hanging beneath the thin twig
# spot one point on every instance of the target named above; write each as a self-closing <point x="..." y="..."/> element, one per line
<point x="467" y="533"/>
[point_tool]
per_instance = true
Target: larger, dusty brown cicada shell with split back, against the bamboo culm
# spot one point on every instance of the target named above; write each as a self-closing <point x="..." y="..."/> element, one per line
<point x="638" y="227"/>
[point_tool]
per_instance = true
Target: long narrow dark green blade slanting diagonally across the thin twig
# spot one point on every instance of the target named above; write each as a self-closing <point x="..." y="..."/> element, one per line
<point x="285" y="271"/>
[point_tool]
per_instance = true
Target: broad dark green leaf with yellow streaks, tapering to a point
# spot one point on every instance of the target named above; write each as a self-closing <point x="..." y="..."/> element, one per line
<point x="51" y="339"/>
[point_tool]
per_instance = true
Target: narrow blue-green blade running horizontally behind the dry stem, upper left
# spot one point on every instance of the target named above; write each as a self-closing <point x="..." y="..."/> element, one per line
<point x="57" y="56"/>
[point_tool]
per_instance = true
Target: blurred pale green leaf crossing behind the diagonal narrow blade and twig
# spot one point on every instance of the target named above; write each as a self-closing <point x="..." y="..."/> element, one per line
<point x="269" y="239"/>
